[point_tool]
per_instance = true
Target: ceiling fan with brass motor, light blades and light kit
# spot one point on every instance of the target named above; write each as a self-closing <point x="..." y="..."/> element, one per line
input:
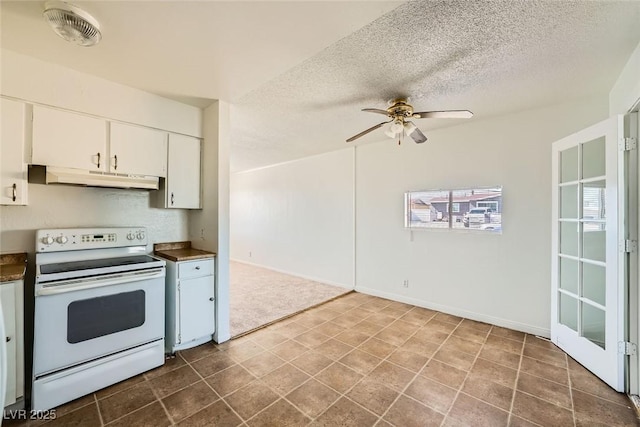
<point x="399" y="112"/>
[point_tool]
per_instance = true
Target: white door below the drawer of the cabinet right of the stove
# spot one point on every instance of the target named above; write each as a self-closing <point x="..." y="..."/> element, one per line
<point x="196" y="308"/>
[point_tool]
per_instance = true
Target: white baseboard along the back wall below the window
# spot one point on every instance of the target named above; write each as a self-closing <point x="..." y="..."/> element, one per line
<point x="480" y="317"/>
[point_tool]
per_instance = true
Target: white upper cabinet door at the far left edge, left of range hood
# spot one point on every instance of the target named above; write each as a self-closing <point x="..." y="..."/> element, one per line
<point x="13" y="175"/>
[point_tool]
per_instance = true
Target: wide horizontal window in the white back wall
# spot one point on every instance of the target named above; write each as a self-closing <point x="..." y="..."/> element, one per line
<point x="469" y="209"/>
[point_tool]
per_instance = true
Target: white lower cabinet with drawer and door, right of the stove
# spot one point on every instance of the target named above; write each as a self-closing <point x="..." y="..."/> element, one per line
<point x="190" y="303"/>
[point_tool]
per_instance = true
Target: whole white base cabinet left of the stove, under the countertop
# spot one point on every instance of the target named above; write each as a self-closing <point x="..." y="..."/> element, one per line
<point x="11" y="298"/>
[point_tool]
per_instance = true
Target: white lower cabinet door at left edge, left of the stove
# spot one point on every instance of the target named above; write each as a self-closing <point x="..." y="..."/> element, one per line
<point x="8" y="301"/>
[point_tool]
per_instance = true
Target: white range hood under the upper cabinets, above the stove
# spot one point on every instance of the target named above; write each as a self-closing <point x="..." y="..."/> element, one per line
<point x="55" y="175"/>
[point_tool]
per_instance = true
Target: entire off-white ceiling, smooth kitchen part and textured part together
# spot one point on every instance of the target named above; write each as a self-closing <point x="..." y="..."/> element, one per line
<point x="297" y="72"/>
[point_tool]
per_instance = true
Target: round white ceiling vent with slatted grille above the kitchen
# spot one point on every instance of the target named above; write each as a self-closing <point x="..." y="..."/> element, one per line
<point x="72" y="23"/>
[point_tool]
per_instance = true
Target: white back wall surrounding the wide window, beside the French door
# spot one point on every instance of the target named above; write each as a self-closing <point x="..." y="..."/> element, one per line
<point x="502" y="279"/>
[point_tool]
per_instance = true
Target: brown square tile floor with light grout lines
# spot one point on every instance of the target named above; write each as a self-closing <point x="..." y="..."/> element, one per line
<point x="362" y="361"/>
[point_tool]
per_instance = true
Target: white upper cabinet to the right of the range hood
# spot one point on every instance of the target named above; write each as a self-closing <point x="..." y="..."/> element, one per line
<point x="183" y="177"/>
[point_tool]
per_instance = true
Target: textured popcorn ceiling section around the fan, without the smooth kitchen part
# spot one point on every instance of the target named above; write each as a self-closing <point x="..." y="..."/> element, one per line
<point x="489" y="57"/>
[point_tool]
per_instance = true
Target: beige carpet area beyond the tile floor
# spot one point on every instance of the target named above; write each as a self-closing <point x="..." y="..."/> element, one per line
<point x="259" y="296"/>
